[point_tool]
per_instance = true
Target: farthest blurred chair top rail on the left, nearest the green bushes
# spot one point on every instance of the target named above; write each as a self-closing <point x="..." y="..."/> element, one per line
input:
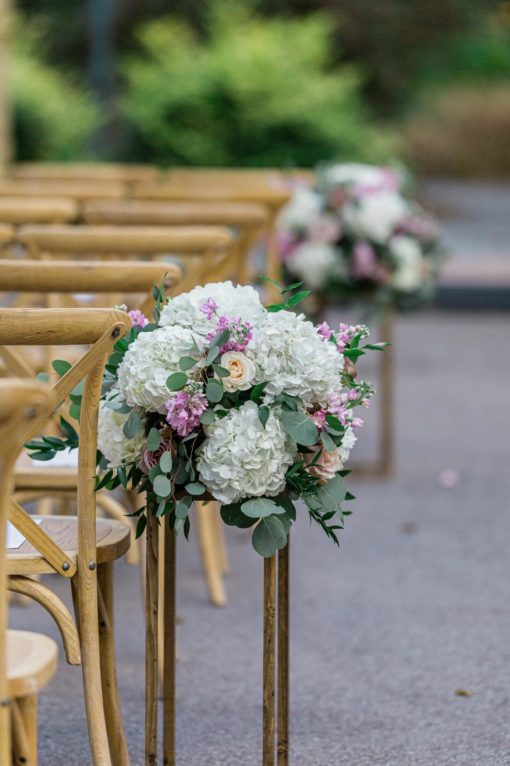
<point x="48" y="171"/>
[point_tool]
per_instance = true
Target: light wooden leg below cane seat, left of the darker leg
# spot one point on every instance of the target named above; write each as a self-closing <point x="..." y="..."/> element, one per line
<point x="86" y="612"/>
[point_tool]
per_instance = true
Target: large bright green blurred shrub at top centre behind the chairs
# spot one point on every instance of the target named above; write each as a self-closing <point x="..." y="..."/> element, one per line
<point x="256" y="92"/>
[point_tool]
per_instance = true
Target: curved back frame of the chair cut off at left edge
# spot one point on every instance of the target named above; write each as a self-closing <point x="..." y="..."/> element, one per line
<point x="20" y="403"/>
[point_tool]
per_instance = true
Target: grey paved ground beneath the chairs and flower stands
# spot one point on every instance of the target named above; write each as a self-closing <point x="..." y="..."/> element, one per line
<point x="414" y="606"/>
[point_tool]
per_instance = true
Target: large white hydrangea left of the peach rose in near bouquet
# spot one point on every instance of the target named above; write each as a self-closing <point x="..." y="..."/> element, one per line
<point x="150" y="360"/>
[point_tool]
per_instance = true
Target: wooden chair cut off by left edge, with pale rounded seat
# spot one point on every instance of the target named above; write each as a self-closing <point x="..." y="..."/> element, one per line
<point x="27" y="660"/>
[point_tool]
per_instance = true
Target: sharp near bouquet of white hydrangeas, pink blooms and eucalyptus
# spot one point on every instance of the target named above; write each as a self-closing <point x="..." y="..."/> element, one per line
<point x="219" y="398"/>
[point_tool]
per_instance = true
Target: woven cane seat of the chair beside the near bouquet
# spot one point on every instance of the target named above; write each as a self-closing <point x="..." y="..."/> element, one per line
<point x="112" y="539"/>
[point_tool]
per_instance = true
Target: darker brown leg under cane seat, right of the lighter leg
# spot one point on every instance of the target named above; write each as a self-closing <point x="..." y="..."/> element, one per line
<point x="113" y="712"/>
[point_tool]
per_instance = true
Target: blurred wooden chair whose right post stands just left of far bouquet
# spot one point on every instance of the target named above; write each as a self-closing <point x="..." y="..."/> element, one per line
<point x="273" y="195"/>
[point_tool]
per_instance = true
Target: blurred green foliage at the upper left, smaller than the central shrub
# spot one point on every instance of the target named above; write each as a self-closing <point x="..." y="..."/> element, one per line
<point x="54" y="117"/>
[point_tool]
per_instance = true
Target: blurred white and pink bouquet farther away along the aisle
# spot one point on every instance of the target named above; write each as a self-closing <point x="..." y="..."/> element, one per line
<point x="358" y="235"/>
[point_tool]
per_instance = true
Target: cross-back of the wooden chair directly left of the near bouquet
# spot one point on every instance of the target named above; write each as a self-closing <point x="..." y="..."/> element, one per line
<point x="100" y="330"/>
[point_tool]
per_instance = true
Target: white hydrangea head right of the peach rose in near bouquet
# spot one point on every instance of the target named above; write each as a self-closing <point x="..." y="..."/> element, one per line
<point x="292" y="357"/>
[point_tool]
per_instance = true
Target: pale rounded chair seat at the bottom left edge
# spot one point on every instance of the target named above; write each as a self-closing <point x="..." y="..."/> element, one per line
<point x="31" y="662"/>
